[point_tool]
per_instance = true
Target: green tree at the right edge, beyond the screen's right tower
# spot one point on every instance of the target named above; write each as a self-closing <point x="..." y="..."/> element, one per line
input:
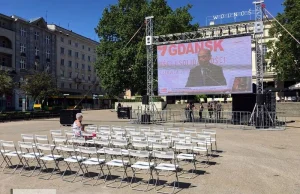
<point x="285" y="51"/>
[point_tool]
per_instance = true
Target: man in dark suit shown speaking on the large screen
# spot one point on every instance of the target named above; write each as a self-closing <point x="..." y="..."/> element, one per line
<point x="206" y="73"/>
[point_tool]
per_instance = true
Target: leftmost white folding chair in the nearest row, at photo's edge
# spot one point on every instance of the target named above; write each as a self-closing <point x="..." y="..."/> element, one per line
<point x="9" y="151"/>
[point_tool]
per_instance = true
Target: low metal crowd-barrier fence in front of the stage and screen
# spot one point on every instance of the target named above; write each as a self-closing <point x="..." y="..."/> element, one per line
<point x="223" y="119"/>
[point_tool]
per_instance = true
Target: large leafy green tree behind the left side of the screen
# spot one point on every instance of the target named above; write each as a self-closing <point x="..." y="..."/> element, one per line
<point x="120" y="65"/>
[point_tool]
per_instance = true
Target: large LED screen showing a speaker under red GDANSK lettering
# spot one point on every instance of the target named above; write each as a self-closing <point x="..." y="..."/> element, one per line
<point x="208" y="67"/>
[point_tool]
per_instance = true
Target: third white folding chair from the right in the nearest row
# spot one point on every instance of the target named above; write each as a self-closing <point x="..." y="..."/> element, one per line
<point x="116" y="163"/>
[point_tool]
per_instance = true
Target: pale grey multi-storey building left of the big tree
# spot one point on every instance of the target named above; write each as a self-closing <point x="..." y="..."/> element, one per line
<point x="76" y="55"/>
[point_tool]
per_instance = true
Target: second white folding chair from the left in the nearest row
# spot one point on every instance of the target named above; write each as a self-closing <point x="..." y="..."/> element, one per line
<point x="29" y="156"/>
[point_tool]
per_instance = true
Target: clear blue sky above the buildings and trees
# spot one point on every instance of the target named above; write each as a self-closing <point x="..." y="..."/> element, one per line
<point x="82" y="16"/>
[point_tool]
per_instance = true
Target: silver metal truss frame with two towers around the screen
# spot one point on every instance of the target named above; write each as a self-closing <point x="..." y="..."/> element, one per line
<point x="255" y="29"/>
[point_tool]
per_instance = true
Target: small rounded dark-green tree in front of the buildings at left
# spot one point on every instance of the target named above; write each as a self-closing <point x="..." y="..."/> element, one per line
<point x="39" y="86"/>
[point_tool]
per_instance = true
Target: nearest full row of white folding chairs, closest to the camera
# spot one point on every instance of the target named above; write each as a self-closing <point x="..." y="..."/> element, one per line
<point x="41" y="154"/>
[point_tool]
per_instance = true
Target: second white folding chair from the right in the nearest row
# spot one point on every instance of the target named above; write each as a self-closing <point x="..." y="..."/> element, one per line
<point x="145" y="165"/>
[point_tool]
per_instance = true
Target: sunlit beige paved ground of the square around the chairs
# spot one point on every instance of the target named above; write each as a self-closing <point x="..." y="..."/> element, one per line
<point x="251" y="161"/>
